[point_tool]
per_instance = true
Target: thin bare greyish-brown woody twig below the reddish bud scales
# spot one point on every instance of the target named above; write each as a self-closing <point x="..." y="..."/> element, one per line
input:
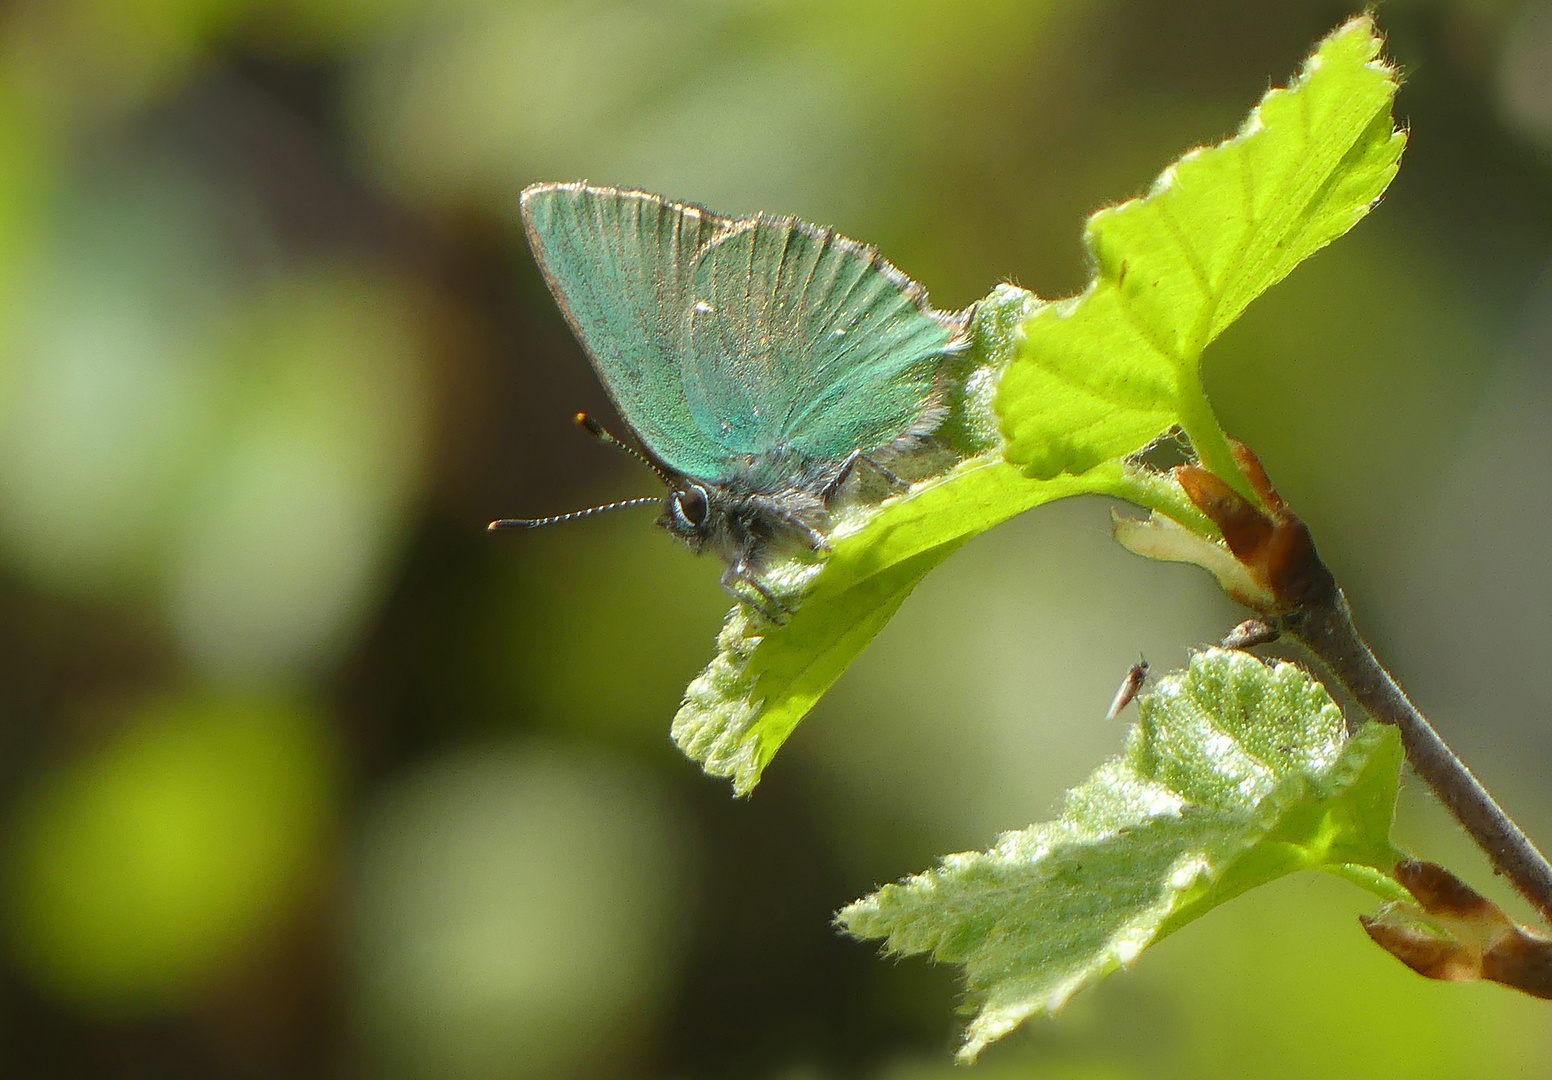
<point x="1326" y="628"/>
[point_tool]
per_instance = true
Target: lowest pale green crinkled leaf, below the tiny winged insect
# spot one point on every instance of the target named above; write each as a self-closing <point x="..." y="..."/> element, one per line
<point x="1236" y="774"/>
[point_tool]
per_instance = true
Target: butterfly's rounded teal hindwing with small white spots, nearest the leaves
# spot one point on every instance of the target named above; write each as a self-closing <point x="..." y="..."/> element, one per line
<point x="802" y="339"/>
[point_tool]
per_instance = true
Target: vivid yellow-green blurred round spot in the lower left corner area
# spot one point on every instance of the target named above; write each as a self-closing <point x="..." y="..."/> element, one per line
<point x="140" y="868"/>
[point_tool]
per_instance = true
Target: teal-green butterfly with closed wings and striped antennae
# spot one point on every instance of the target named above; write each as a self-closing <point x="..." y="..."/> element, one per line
<point x="760" y="362"/>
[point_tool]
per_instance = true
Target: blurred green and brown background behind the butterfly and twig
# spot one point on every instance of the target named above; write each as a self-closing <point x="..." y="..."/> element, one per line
<point x="303" y="775"/>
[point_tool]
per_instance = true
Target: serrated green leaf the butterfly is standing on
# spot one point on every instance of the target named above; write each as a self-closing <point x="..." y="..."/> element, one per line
<point x="766" y="679"/>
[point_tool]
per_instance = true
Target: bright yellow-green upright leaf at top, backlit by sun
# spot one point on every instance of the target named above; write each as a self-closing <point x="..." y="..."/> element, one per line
<point x="1103" y="375"/>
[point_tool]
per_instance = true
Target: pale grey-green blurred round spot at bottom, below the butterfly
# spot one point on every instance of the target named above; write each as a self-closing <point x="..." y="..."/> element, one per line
<point x="516" y="904"/>
